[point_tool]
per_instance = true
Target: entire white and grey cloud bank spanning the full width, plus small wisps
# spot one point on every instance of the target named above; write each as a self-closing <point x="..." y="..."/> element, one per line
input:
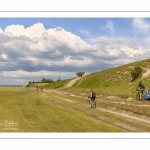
<point x="35" y="52"/>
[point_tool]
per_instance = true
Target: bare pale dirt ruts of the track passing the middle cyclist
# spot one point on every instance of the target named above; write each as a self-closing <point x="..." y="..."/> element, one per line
<point x="139" y="118"/>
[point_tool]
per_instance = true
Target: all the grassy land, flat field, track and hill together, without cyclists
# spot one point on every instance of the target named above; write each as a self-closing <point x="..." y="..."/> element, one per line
<point x="61" y="109"/>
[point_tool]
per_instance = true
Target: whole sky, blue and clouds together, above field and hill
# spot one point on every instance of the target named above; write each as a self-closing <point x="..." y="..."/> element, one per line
<point x="58" y="48"/>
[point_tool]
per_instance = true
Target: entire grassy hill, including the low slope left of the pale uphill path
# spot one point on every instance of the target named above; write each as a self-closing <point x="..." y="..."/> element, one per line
<point x="111" y="82"/>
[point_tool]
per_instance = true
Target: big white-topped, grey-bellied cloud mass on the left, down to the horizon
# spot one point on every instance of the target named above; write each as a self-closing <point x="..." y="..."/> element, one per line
<point x="40" y="52"/>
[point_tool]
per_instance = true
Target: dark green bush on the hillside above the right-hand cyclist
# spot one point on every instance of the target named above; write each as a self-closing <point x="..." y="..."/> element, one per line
<point x="136" y="73"/>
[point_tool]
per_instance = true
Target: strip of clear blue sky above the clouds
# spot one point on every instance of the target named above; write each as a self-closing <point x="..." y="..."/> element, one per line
<point x="78" y="26"/>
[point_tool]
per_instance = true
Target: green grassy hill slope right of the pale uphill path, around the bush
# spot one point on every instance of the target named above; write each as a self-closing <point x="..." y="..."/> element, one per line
<point x="116" y="80"/>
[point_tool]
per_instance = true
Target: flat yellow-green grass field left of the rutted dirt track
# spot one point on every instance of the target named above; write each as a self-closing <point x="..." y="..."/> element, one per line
<point x="26" y="110"/>
